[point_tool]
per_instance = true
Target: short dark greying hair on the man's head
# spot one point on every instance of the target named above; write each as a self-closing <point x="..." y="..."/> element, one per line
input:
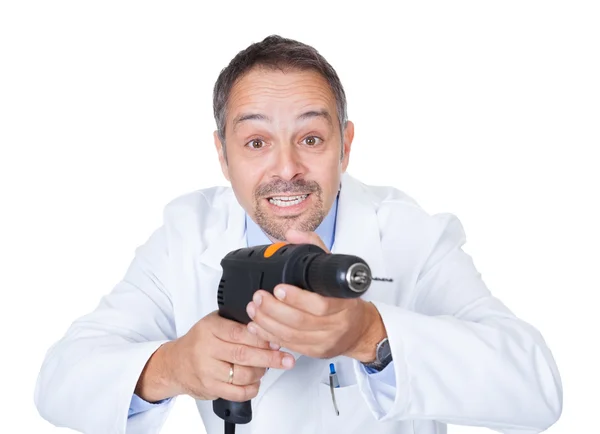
<point x="275" y="52"/>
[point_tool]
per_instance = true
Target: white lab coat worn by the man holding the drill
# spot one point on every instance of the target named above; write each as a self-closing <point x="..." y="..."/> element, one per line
<point x="460" y="356"/>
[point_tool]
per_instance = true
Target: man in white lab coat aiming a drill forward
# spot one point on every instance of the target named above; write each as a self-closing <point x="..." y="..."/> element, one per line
<point x="433" y="347"/>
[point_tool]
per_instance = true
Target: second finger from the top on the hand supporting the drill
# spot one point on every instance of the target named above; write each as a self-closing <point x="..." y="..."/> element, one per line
<point x="265" y="303"/>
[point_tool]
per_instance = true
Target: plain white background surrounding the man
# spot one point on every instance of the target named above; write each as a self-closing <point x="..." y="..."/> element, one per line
<point x="488" y="110"/>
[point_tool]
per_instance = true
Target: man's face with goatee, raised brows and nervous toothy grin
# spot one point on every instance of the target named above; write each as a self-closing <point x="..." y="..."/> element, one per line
<point x="284" y="145"/>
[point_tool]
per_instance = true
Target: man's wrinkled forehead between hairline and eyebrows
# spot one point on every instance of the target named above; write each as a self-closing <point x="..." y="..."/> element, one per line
<point x="270" y="90"/>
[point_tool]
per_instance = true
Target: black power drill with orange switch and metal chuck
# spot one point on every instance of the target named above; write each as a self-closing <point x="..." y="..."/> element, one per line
<point x="263" y="267"/>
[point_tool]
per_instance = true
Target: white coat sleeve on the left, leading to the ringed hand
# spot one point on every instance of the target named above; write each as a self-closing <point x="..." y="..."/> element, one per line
<point x="88" y="377"/>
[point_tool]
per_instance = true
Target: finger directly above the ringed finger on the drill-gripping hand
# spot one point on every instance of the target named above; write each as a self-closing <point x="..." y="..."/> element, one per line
<point x="254" y="357"/>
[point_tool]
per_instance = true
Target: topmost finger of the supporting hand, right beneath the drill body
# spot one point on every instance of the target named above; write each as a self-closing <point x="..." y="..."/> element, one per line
<point x="310" y="302"/>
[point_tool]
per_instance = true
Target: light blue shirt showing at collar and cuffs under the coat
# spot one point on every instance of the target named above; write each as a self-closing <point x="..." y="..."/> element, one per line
<point x="256" y="237"/>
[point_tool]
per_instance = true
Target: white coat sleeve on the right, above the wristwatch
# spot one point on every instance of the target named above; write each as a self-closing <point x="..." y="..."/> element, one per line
<point x="460" y="356"/>
